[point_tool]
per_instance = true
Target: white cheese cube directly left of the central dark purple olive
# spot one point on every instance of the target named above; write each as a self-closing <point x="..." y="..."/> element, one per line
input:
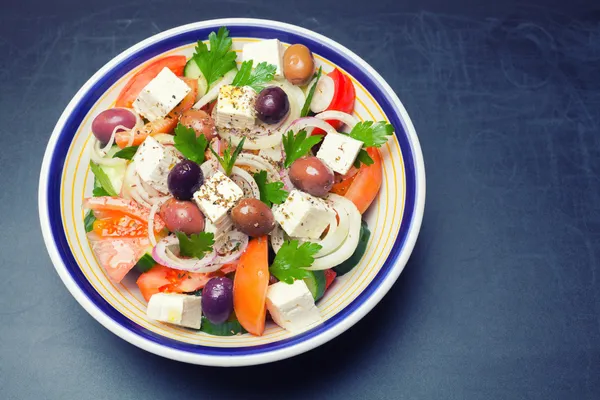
<point x="153" y="162"/>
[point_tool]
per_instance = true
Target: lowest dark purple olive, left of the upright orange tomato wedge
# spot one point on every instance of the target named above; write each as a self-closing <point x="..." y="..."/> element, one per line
<point x="217" y="299"/>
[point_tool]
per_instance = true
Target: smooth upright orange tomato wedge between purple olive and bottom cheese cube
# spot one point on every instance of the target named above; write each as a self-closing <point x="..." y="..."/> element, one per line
<point x="250" y="286"/>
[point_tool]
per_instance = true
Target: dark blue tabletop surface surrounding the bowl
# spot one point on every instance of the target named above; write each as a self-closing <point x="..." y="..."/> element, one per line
<point x="501" y="297"/>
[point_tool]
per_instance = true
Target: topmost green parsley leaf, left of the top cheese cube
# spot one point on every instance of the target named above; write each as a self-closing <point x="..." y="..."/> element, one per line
<point x="217" y="61"/>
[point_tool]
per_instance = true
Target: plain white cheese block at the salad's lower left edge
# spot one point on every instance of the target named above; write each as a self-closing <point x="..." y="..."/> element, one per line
<point x="174" y="308"/>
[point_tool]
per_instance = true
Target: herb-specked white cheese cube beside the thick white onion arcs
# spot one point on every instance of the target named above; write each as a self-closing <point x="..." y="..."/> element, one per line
<point x="303" y="215"/>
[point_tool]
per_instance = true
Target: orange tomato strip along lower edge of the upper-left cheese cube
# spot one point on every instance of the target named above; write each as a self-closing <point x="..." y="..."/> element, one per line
<point x="161" y="125"/>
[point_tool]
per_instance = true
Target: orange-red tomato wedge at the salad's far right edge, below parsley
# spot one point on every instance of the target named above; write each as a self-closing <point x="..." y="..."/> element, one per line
<point x="366" y="183"/>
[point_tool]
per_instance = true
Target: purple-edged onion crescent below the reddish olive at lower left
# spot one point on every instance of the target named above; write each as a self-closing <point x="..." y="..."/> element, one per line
<point x="163" y="254"/>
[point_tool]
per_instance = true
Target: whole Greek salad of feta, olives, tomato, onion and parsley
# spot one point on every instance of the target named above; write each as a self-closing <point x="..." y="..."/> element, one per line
<point x="235" y="192"/>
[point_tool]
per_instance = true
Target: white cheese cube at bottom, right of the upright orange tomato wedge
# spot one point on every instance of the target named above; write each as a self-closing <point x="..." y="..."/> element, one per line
<point x="292" y="306"/>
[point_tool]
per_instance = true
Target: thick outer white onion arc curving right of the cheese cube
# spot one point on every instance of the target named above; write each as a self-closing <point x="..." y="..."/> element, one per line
<point x="349" y="245"/>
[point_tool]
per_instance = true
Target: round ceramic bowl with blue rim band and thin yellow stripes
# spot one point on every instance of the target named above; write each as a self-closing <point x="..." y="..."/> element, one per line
<point x="394" y="218"/>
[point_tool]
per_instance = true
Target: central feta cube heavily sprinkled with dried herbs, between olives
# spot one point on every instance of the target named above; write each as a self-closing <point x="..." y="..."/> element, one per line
<point x="217" y="196"/>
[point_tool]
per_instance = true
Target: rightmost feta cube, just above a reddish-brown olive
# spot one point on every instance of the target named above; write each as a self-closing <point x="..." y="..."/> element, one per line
<point x="339" y="151"/>
